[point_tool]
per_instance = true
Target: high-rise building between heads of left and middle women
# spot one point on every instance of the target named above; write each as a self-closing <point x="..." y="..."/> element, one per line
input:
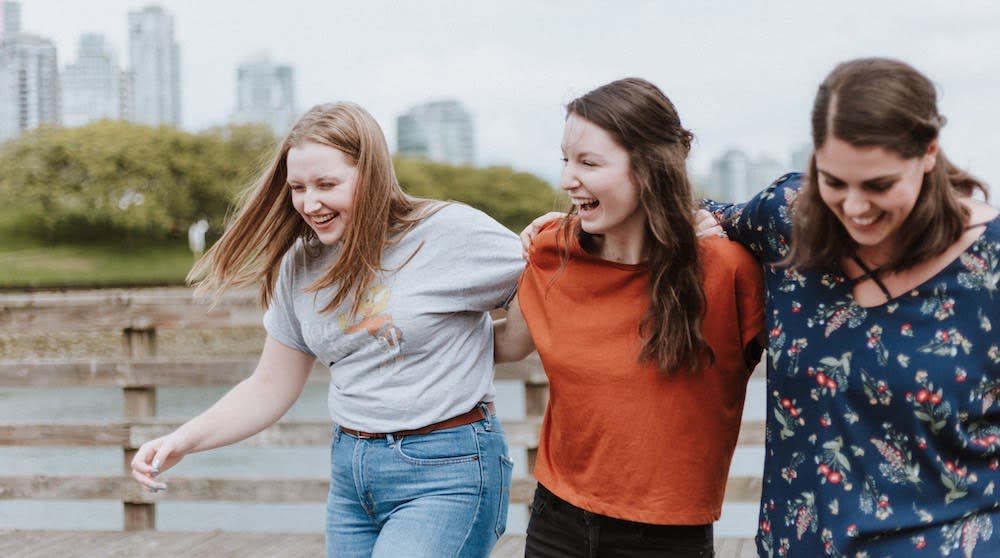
<point x="439" y="131"/>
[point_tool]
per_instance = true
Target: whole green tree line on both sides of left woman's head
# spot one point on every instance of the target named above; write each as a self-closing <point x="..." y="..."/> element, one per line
<point x="113" y="181"/>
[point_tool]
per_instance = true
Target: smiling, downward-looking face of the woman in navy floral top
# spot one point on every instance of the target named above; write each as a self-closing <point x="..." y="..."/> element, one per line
<point x="871" y="191"/>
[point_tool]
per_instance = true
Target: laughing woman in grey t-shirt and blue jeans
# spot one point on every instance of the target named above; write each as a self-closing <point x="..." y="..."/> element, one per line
<point x="393" y="294"/>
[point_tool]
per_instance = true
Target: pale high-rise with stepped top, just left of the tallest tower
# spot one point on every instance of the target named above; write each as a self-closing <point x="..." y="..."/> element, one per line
<point x="91" y="86"/>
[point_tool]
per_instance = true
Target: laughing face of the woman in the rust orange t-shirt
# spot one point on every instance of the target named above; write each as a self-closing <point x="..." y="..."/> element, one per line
<point x="597" y="176"/>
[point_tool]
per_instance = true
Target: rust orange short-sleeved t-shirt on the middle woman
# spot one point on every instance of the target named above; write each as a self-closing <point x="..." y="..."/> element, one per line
<point x="620" y="438"/>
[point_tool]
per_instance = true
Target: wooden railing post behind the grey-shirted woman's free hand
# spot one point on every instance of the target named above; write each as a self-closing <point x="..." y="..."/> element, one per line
<point x="138" y="402"/>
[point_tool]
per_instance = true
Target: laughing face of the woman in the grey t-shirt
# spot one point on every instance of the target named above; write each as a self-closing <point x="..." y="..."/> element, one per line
<point x="322" y="182"/>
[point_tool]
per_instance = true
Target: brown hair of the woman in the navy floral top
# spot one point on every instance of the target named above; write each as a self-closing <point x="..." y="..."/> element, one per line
<point x="879" y="102"/>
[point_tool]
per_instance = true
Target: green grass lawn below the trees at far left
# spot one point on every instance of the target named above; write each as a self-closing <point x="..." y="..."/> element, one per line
<point x="27" y="263"/>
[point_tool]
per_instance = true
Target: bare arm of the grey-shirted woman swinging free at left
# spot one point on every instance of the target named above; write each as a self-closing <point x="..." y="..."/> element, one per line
<point x="251" y="406"/>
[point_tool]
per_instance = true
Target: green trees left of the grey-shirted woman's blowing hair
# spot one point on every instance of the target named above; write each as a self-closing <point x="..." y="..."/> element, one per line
<point x="113" y="179"/>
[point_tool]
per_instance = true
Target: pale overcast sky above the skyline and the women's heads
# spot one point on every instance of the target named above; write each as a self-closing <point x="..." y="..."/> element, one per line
<point x="741" y="73"/>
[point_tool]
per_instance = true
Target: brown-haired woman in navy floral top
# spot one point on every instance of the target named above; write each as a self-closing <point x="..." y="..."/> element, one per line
<point x="883" y="286"/>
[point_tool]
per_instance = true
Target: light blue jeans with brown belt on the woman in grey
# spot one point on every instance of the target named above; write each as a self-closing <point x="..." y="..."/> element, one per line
<point x="437" y="495"/>
